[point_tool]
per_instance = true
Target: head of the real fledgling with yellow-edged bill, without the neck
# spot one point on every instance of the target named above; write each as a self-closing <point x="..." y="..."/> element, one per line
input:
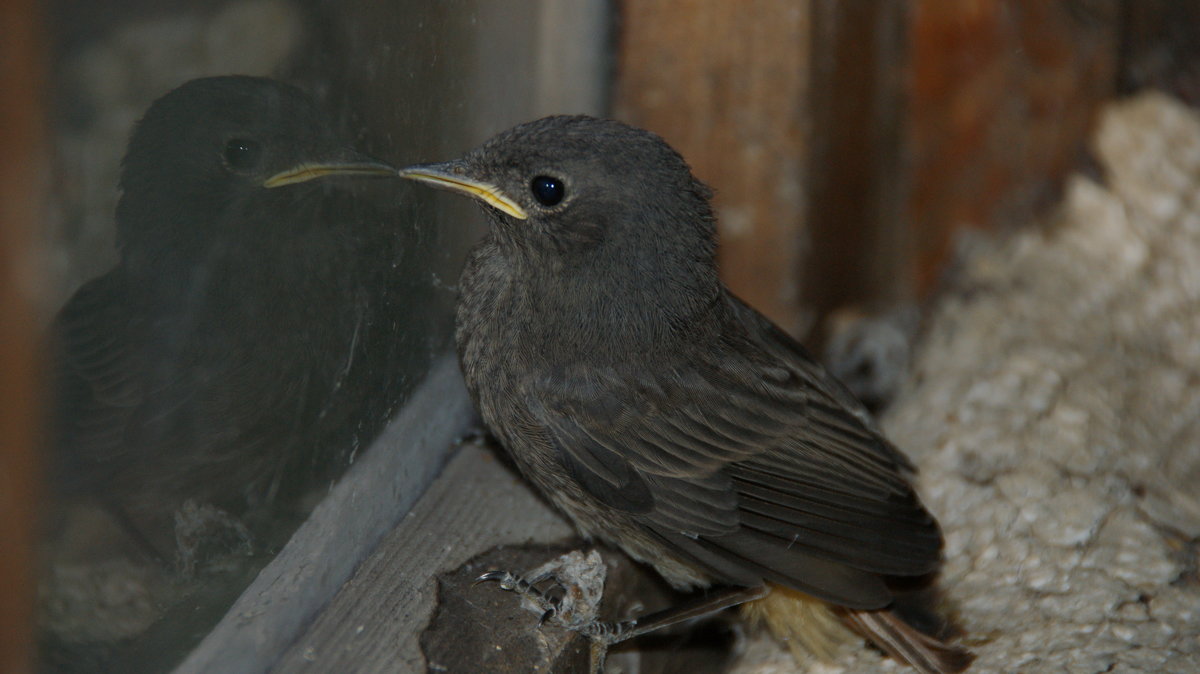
<point x="577" y="186"/>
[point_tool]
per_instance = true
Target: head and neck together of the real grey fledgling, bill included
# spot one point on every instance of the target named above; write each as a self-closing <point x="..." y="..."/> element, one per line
<point x="602" y="224"/>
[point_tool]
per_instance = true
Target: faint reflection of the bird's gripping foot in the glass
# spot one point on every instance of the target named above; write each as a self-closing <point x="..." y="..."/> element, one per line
<point x="206" y="533"/>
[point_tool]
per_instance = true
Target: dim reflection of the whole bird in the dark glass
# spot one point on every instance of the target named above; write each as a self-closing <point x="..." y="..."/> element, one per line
<point x="218" y="360"/>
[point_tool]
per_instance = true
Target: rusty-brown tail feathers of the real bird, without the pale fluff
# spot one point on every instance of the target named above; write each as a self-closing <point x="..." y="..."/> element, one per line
<point x="890" y="633"/>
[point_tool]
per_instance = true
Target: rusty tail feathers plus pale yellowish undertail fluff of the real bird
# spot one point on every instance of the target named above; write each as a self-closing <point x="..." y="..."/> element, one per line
<point x="812" y="628"/>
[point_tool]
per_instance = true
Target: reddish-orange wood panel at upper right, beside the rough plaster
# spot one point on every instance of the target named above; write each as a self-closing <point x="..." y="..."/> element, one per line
<point x="1004" y="97"/>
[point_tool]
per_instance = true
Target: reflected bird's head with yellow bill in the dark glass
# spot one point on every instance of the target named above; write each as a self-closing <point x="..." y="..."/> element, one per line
<point x="208" y="146"/>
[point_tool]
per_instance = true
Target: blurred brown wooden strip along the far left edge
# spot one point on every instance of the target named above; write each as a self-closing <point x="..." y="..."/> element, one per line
<point x="23" y="189"/>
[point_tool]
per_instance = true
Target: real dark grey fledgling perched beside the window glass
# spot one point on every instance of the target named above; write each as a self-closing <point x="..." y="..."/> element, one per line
<point x="663" y="414"/>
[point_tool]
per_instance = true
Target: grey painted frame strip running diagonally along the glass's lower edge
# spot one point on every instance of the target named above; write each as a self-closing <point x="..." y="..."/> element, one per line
<point x="364" y="505"/>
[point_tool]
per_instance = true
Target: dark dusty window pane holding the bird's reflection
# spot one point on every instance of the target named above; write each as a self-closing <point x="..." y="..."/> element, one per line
<point x="229" y="332"/>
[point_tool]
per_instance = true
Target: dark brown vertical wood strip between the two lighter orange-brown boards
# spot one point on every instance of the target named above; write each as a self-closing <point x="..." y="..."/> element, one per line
<point x="861" y="248"/>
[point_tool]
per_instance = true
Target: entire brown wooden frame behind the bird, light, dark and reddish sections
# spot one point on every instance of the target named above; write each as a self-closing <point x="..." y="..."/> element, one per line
<point x="849" y="142"/>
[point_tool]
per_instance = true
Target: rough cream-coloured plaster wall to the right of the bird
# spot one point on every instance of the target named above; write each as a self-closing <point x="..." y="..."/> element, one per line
<point x="1055" y="414"/>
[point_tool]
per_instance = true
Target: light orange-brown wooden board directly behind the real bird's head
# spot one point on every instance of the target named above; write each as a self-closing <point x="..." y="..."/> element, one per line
<point x="727" y="85"/>
